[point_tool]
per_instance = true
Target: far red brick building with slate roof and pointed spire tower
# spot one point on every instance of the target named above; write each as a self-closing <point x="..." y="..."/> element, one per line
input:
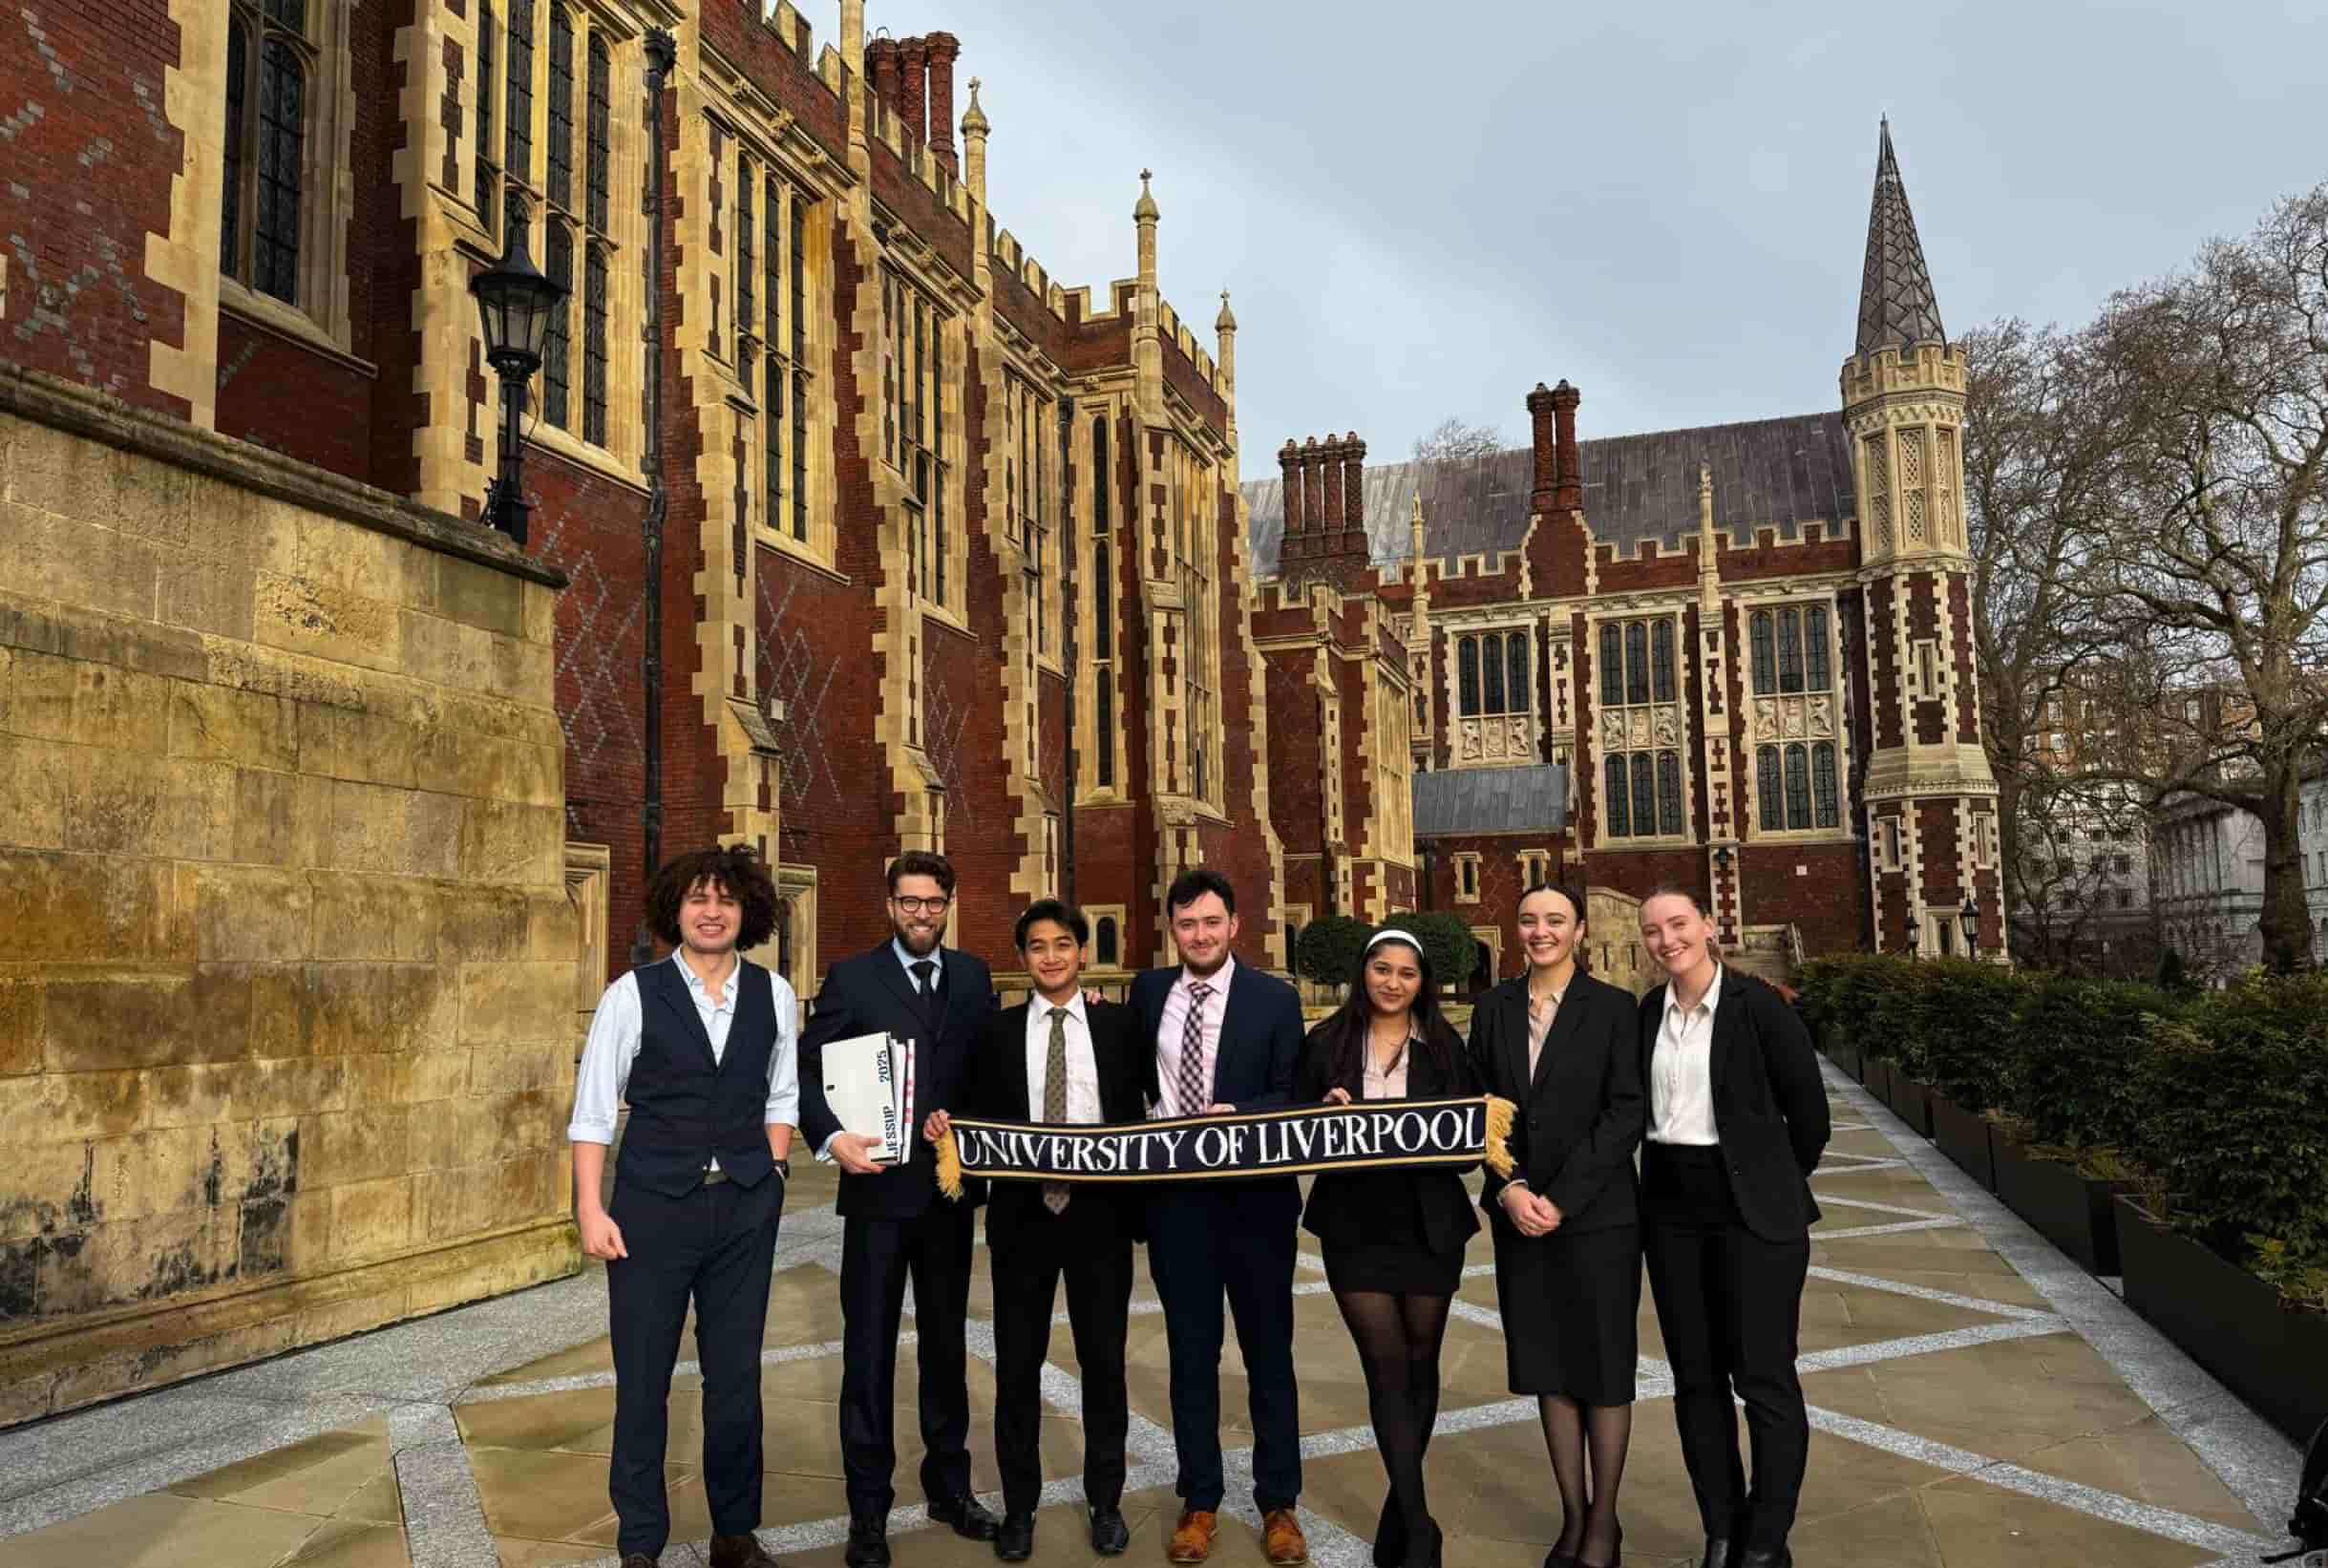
<point x="1733" y="657"/>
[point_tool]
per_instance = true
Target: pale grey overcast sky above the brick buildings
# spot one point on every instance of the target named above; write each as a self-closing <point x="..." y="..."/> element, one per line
<point x="1424" y="211"/>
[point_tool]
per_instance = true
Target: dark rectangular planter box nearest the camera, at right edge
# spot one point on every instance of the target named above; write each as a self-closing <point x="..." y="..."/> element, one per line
<point x="2229" y="1323"/>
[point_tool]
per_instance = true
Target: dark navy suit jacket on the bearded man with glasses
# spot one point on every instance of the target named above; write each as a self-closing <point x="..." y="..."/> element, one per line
<point x="872" y="995"/>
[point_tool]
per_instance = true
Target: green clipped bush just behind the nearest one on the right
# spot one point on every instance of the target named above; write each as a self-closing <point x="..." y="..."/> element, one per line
<point x="2078" y="1048"/>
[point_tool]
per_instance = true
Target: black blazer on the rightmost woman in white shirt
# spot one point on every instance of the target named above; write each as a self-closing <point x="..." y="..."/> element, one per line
<point x="1770" y="1104"/>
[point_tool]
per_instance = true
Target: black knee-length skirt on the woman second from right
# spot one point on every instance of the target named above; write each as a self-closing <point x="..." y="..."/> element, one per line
<point x="1573" y="1311"/>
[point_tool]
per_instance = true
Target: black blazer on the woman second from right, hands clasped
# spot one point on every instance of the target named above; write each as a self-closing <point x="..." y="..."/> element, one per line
<point x="1582" y="1116"/>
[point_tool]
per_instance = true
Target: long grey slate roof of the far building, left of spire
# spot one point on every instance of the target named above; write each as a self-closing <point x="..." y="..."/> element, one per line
<point x="1768" y="473"/>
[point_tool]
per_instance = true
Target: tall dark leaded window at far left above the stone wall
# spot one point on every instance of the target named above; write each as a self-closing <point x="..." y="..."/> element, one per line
<point x="271" y="78"/>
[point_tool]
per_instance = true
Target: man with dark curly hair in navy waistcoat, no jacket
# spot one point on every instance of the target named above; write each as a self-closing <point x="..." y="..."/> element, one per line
<point x="704" y="1050"/>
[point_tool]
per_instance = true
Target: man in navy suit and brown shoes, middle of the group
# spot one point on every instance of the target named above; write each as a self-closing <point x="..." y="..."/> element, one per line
<point x="1226" y="1039"/>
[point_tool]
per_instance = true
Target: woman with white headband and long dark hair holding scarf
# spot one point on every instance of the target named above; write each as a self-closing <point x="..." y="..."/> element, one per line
<point x="1393" y="1239"/>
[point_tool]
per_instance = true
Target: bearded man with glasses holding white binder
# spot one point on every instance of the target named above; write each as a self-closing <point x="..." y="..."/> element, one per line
<point x="895" y="1223"/>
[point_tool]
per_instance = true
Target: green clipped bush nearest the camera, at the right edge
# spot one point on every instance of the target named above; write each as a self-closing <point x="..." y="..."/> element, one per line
<point x="2231" y="1125"/>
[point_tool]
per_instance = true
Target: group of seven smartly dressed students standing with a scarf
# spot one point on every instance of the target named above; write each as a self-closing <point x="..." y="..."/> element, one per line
<point x="1680" y="1129"/>
